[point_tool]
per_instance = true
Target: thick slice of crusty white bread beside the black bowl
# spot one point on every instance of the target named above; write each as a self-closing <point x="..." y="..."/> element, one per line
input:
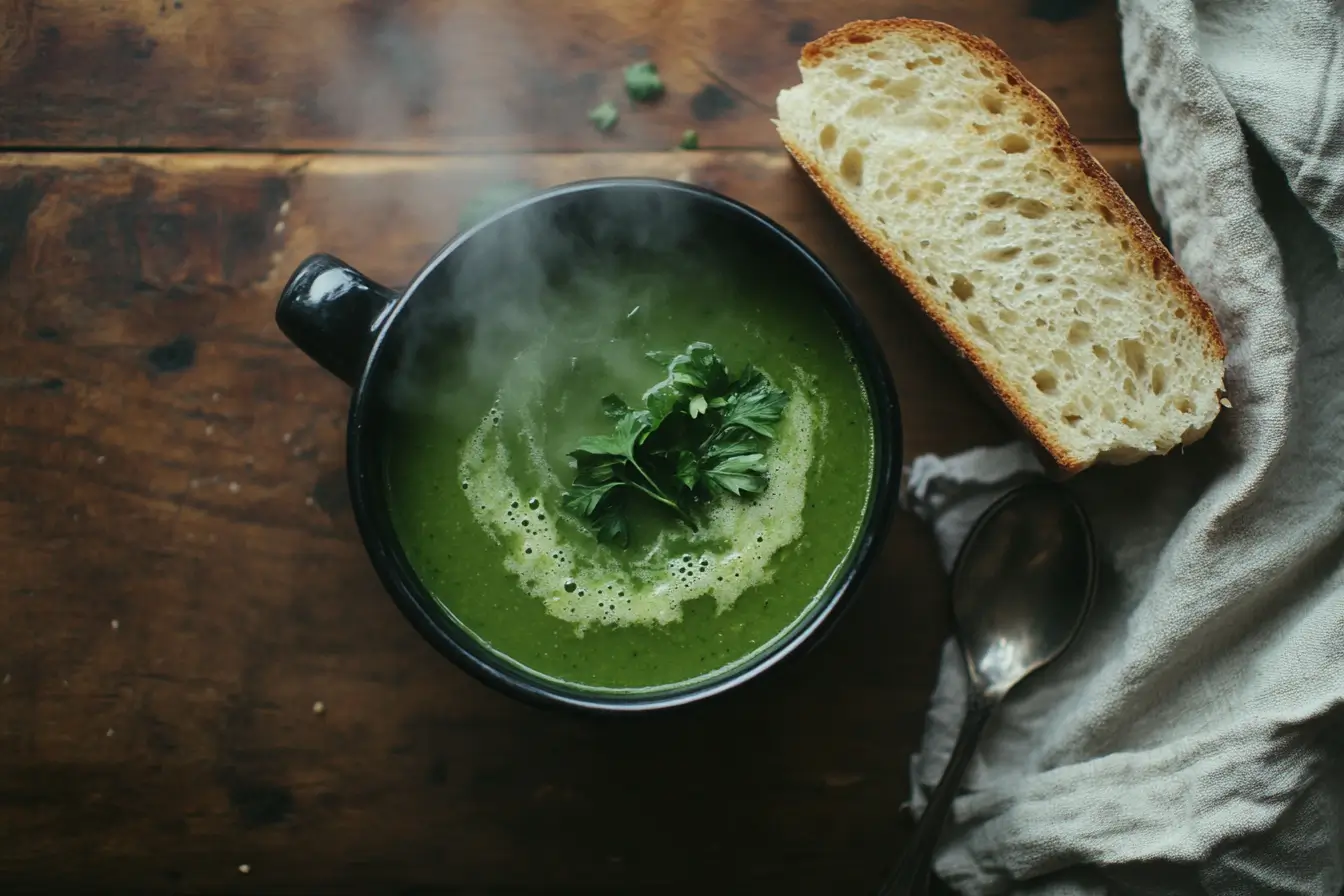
<point x="1023" y="251"/>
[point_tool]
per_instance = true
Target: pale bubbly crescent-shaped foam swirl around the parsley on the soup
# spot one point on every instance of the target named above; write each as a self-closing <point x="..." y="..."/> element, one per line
<point x="577" y="580"/>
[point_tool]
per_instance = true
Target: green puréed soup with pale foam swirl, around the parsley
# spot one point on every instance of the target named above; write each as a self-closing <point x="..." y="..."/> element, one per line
<point x="478" y="463"/>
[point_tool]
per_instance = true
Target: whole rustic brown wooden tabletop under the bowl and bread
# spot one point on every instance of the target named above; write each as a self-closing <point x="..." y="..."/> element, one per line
<point x="181" y="578"/>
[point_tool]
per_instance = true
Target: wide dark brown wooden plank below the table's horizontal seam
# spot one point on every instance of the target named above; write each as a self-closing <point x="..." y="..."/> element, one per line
<point x="183" y="578"/>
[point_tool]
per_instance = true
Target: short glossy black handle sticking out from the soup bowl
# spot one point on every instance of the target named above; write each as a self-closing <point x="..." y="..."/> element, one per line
<point x="333" y="312"/>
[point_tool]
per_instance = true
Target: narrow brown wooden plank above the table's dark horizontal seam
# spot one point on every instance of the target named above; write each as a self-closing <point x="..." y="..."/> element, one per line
<point x="475" y="76"/>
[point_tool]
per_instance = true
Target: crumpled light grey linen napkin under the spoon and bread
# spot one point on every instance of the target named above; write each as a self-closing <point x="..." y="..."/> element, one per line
<point x="1193" y="738"/>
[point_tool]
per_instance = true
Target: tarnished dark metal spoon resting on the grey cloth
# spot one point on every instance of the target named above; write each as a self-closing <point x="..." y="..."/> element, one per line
<point x="1021" y="589"/>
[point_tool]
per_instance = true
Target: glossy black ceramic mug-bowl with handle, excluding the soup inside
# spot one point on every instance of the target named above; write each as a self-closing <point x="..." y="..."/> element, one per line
<point x="360" y="331"/>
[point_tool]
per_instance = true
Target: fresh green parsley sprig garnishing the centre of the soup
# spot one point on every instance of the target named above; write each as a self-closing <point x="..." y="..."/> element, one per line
<point x="701" y="436"/>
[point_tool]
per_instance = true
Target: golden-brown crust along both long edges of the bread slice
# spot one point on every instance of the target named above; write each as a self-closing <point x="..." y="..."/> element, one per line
<point x="1066" y="148"/>
